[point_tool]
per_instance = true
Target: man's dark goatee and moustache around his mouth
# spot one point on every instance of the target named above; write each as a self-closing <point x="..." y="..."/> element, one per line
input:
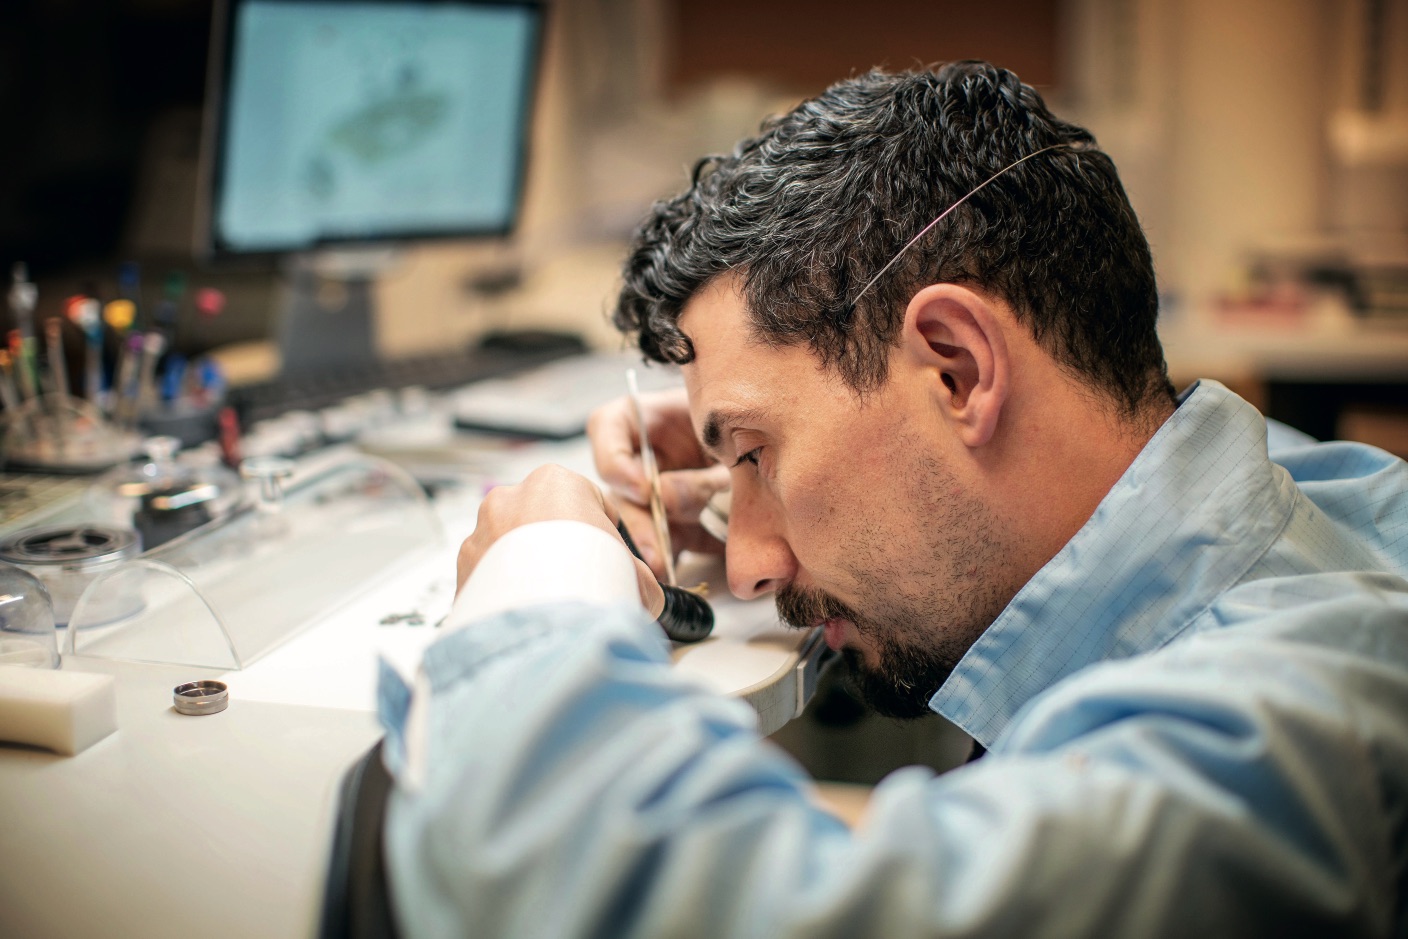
<point x="914" y="662"/>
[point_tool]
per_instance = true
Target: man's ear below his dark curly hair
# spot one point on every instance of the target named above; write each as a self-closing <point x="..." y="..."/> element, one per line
<point x="958" y="336"/>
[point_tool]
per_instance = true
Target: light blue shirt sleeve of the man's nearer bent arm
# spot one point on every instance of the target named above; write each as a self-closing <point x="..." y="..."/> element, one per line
<point x="577" y="788"/>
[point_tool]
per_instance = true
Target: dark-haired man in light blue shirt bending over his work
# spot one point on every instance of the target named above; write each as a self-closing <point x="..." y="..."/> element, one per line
<point x="953" y="444"/>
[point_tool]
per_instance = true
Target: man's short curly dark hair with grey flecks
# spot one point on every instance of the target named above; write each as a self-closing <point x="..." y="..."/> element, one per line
<point x="810" y="210"/>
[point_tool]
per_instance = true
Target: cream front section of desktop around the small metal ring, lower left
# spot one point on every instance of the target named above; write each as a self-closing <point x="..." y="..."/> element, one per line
<point x="218" y="826"/>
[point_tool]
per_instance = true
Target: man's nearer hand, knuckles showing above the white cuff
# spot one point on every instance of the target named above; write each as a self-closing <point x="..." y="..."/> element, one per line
<point x="550" y="493"/>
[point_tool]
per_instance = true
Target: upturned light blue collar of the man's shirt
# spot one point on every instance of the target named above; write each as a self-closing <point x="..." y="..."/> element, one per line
<point x="1192" y="515"/>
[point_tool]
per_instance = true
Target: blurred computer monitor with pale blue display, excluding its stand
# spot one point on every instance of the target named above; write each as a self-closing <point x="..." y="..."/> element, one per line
<point x="340" y="122"/>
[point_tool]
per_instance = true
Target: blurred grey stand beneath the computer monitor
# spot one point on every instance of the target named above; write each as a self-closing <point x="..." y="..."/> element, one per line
<point x="329" y="317"/>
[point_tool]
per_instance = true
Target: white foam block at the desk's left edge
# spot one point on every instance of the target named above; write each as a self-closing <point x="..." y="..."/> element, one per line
<point x="61" y="712"/>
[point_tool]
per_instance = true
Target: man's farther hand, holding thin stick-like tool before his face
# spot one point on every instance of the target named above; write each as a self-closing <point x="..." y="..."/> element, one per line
<point x="689" y="478"/>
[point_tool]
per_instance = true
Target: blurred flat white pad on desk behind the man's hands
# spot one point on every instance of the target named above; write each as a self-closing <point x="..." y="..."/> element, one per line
<point x="554" y="402"/>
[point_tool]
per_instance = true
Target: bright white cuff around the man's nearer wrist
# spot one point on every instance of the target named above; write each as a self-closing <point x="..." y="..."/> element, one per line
<point x="547" y="562"/>
